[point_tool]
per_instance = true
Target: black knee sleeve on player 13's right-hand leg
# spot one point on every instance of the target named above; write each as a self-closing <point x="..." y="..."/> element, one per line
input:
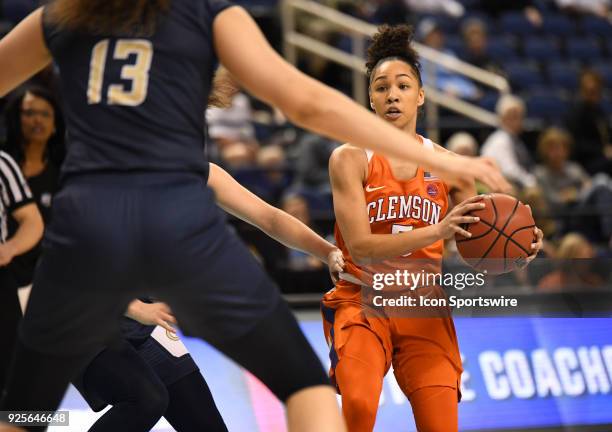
<point x="277" y="352"/>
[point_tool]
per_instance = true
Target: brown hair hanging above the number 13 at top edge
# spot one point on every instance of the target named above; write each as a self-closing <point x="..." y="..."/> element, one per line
<point x="108" y="17"/>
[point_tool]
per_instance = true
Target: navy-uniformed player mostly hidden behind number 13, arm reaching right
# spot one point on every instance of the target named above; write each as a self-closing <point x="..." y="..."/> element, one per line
<point x="150" y="373"/>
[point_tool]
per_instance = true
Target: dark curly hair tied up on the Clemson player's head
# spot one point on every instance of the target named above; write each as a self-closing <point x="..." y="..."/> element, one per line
<point x="393" y="43"/>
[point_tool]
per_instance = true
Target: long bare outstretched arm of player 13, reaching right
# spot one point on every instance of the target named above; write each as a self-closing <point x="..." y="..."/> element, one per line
<point x="308" y="103"/>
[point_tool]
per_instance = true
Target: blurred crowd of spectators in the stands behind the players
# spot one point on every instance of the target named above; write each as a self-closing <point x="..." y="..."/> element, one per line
<point x="553" y="142"/>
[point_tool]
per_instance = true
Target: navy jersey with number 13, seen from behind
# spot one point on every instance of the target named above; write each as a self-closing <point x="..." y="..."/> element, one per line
<point x="137" y="103"/>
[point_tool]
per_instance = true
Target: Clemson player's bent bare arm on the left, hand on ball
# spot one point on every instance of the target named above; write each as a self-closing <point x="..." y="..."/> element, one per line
<point x="347" y="170"/>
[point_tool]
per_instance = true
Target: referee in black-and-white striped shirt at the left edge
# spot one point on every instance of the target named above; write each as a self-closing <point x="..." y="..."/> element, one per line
<point x="16" y="201"/>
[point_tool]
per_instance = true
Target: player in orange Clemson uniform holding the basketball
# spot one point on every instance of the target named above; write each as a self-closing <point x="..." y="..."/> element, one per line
<point x="387" y="208"/>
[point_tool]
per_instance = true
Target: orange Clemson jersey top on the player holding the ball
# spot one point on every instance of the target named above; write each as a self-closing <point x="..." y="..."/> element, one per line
<point x="396" y="206"/>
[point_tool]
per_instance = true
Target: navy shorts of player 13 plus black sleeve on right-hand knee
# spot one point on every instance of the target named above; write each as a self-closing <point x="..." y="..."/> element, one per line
<point x="115" y="237"/>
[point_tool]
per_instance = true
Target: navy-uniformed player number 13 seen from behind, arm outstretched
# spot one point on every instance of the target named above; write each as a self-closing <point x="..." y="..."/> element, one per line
<point x="134" y="217"/>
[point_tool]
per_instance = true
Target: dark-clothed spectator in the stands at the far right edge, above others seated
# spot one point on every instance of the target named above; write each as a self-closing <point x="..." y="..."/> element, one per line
<point x="589" y="126"/>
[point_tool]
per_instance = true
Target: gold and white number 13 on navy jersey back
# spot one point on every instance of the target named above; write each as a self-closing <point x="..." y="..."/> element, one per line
<point x="137" y="73"/>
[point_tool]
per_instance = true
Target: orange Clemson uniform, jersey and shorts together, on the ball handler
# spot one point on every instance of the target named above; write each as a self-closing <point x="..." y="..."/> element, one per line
<point x="424" y="352"/>
